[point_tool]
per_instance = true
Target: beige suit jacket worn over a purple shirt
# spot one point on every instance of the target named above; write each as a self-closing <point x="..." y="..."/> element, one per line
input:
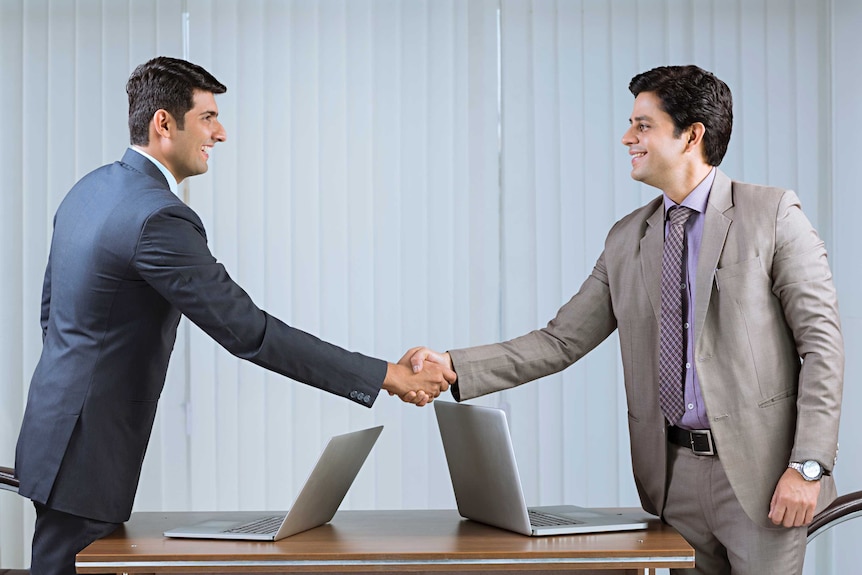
<point x="769" y="352"/>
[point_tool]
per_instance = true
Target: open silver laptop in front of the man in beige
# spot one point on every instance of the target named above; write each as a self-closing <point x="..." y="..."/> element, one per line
<point x="487" y="485"/>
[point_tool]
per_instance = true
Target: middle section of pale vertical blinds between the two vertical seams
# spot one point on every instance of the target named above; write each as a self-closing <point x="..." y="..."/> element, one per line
<point x="334" y="203"/>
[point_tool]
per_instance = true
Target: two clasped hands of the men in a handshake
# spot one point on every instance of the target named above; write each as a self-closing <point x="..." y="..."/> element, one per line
<point x="420" y="375"/>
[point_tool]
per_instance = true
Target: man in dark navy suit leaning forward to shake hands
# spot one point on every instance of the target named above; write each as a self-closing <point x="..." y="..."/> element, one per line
<point x="127" y="259"/>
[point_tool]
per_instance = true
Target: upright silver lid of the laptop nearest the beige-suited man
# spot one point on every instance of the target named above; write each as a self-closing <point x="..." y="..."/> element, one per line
<point x="482" y="465"/>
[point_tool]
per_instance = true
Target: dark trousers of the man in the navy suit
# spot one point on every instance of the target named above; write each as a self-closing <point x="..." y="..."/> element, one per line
<point x="59" y="537"/>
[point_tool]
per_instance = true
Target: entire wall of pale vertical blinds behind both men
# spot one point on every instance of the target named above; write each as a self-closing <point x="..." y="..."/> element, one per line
<point x="400" y="173"/>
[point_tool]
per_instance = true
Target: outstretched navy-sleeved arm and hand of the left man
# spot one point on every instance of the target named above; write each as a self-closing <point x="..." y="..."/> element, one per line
<point x="173" y="258"/>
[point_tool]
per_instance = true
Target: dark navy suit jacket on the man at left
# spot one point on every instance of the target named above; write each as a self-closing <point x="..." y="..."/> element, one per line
<point x="127" y="259"/>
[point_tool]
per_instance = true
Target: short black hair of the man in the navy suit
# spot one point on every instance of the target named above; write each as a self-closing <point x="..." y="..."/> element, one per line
<point x="164" y="83"/>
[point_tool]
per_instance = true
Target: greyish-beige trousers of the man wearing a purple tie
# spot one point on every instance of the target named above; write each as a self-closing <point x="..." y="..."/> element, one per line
<point x="702" y="506"/>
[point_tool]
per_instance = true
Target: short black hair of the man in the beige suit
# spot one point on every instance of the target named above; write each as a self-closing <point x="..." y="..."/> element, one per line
<point x="690" y="94"/>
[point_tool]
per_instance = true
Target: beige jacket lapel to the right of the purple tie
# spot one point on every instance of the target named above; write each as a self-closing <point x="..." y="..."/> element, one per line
<point x="717" y="222"/>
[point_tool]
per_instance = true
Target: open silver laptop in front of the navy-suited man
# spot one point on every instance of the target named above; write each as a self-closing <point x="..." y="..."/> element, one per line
<point x="316" y="504"/>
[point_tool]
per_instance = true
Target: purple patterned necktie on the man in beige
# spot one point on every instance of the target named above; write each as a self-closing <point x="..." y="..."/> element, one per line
<point x="672" y="338"/>
